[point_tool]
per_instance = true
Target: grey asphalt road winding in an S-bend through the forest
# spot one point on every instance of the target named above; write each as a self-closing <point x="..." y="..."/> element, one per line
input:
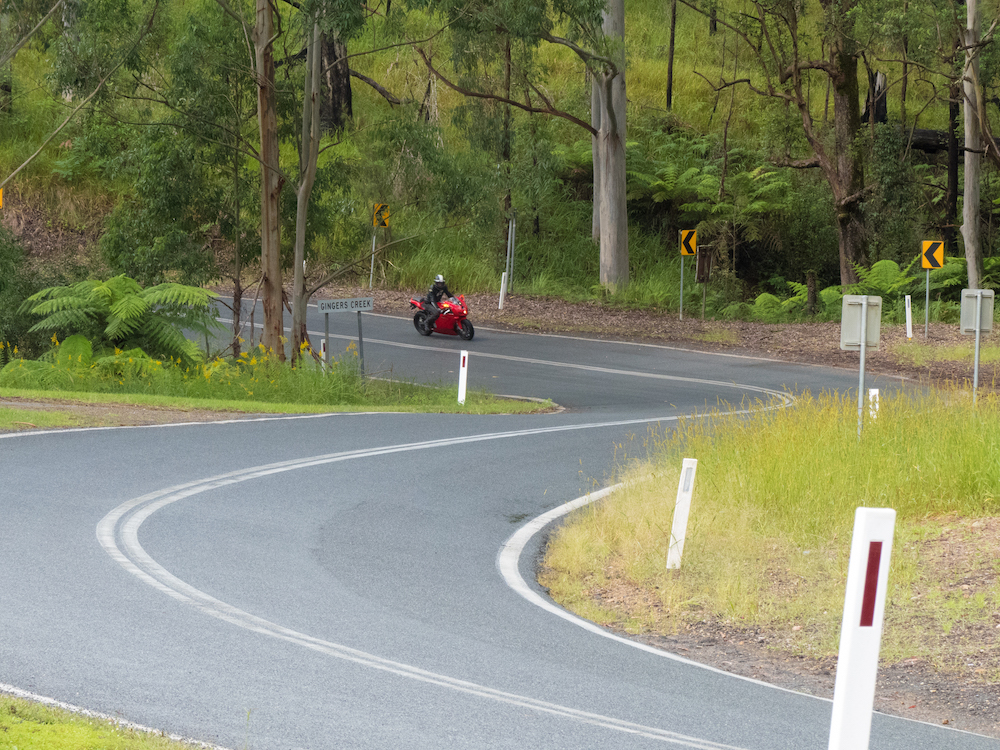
<point x="365" y="580"/>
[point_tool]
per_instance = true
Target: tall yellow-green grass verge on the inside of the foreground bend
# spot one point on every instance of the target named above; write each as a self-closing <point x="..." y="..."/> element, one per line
<point x="771" y="521"/>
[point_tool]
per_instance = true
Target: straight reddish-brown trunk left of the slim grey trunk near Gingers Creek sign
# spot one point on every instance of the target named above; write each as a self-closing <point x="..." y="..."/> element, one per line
<point x="270" y="182"/>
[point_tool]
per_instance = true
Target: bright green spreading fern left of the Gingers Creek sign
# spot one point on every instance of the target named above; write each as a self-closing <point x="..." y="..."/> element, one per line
<point x="119" y="313"/>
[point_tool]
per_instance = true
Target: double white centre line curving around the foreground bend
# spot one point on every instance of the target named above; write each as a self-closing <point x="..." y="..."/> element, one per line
<point x="118" y="532"/>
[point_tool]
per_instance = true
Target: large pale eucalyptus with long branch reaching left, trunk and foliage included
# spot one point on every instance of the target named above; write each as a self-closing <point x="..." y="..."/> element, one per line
<point x="531" y="25"/>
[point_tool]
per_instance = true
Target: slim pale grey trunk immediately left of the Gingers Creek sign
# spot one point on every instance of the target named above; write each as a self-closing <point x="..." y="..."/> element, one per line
<point x="308" y="159"/>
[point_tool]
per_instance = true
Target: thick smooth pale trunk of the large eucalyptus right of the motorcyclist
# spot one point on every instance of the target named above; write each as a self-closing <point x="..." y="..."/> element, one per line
<point x="611" y="147"/>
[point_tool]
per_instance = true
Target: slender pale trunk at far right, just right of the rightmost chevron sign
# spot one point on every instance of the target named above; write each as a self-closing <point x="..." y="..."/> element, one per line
<point x="973" y="148"/>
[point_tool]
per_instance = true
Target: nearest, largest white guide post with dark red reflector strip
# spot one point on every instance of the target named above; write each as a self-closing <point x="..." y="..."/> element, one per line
<point x="861" y="630"/>
